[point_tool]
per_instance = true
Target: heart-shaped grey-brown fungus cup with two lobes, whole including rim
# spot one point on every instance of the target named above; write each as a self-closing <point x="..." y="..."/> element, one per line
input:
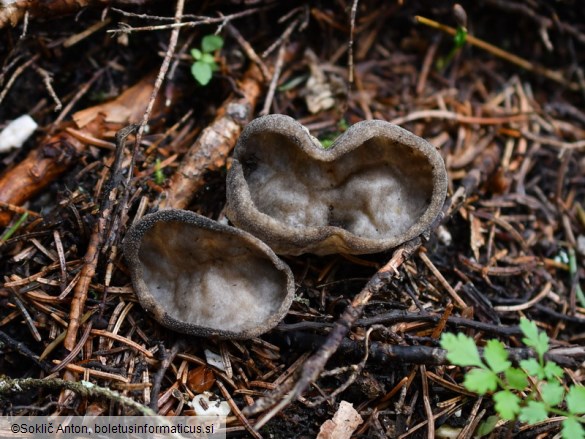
<point x="375" y="188"/>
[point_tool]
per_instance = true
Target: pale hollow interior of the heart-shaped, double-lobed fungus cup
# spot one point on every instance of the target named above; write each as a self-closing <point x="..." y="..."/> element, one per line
<point x="370" y="191"/>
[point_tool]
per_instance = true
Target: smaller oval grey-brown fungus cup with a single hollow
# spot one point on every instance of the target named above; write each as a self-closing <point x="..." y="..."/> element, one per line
<point x="199" y="277"/>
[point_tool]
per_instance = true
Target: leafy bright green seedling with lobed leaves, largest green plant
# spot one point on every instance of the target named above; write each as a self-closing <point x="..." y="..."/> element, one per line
<point x="530" y="393"/>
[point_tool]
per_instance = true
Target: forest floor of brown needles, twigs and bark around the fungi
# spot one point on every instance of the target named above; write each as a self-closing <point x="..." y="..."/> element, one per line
<point x="504" y="105"/>
